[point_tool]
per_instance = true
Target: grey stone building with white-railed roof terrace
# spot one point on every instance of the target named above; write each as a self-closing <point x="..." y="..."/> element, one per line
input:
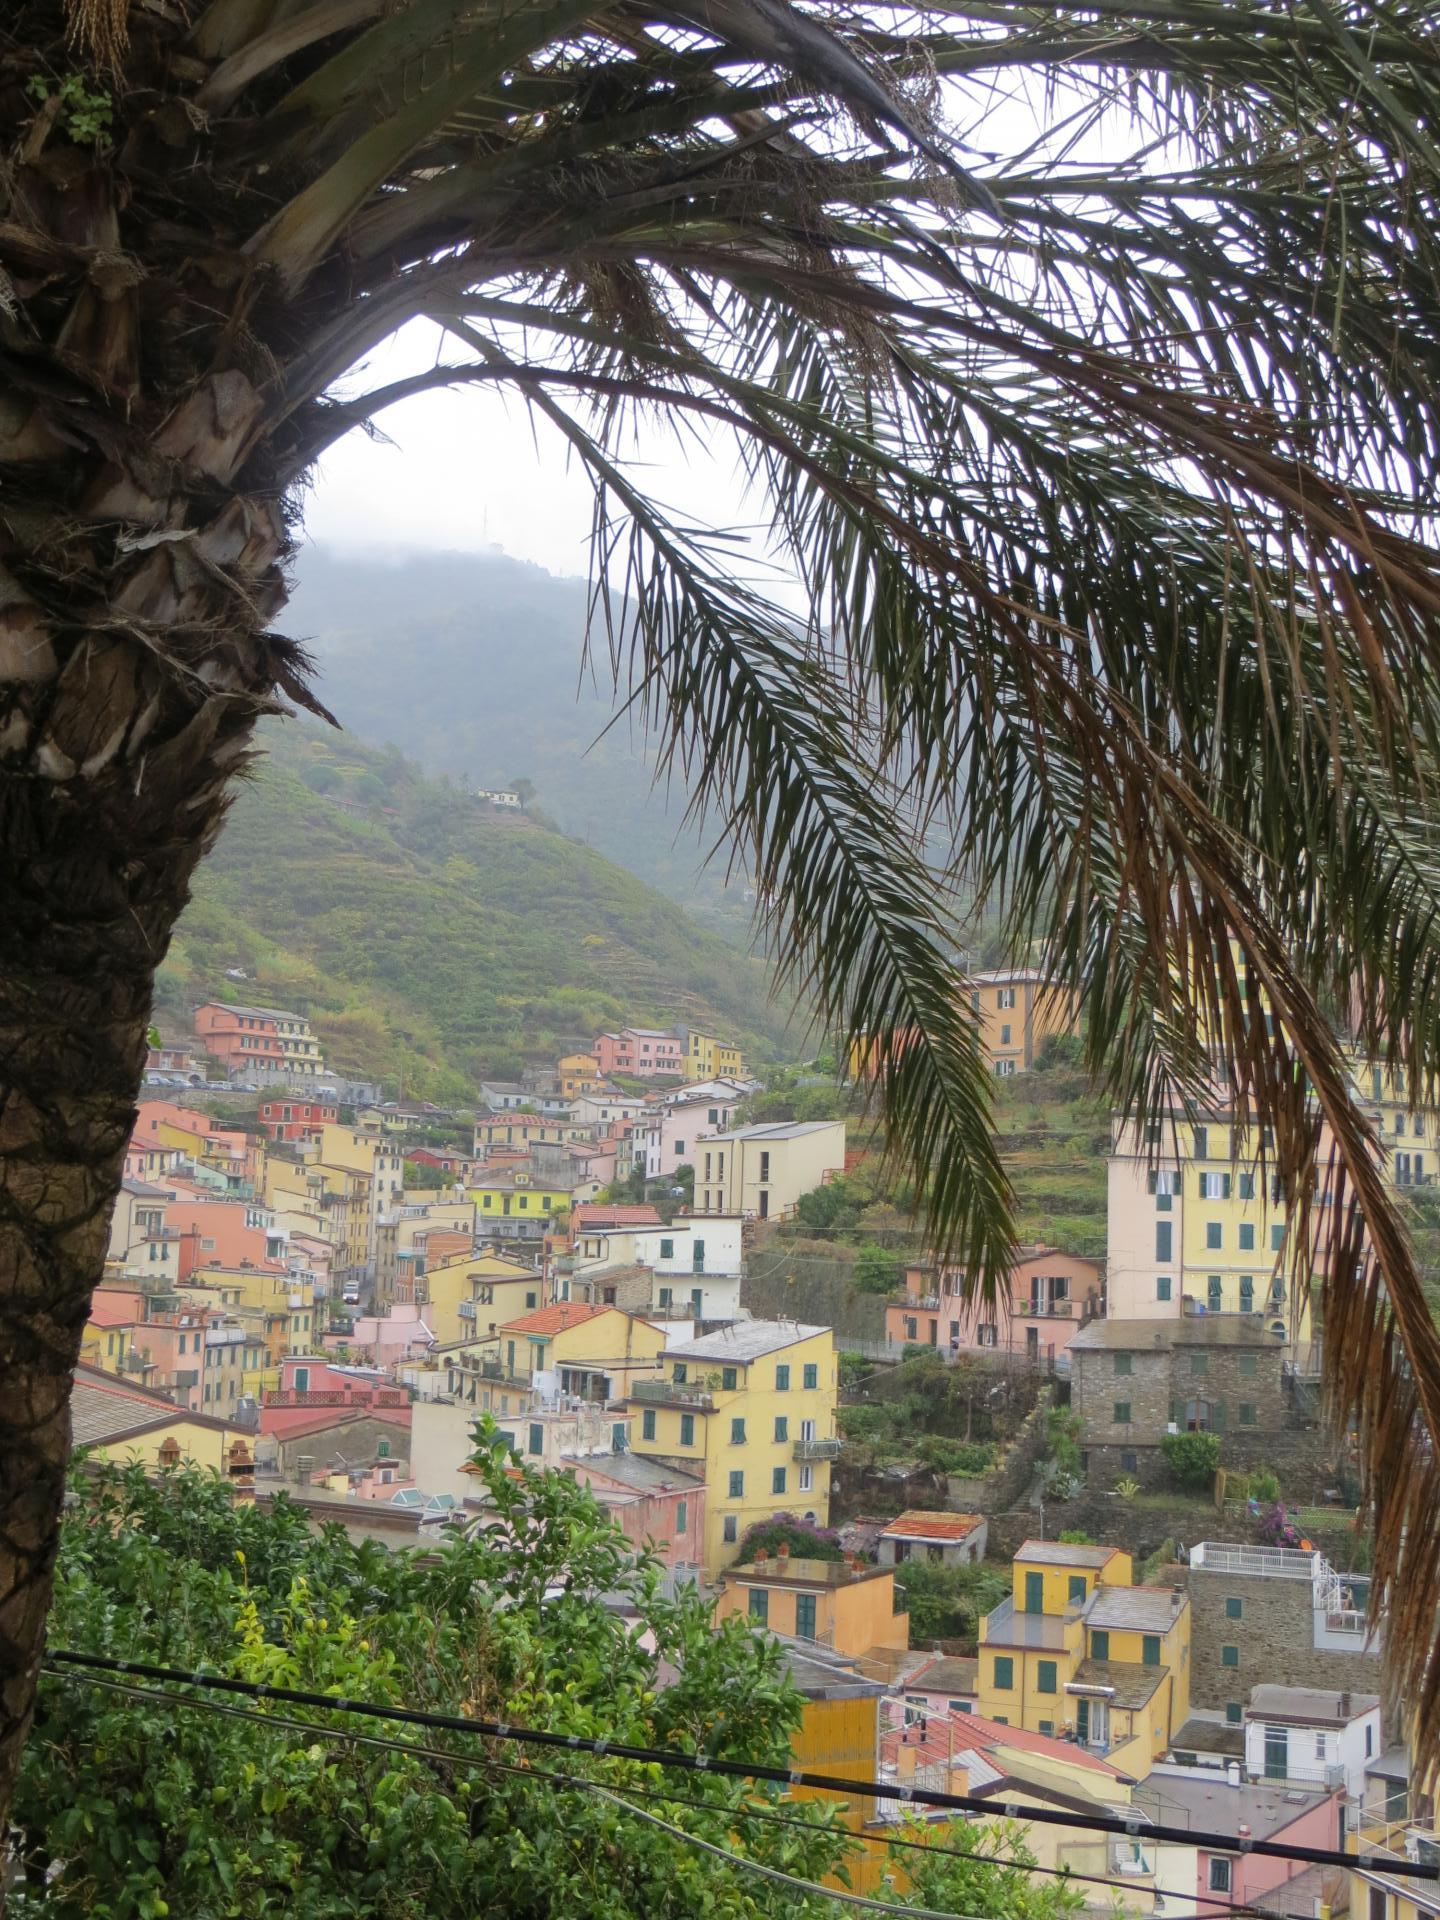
<point x="1276" y="1616"/>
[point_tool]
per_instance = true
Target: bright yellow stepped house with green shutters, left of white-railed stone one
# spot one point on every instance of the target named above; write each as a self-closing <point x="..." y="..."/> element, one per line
<point x="1080" y="1652"/>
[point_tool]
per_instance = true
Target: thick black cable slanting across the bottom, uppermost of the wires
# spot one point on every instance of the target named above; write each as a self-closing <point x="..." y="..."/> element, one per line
<point x="1132" y="1825"/>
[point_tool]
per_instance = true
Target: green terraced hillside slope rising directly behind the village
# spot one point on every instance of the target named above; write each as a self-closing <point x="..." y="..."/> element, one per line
<point x="429" y="938"/>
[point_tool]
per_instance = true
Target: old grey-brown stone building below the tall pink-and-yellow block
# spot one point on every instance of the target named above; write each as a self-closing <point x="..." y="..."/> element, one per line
<point x="1134" y="1381"/>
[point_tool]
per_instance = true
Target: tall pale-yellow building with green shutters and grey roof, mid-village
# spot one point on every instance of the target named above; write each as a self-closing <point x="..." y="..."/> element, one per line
<point x="754" y="1412"/>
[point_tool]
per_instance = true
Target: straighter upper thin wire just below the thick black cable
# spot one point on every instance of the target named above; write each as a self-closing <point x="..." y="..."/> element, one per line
<point x="283" y="1723"/>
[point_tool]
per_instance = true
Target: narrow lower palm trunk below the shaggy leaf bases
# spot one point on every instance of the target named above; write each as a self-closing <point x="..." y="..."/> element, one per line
<point x="89" y="913"/>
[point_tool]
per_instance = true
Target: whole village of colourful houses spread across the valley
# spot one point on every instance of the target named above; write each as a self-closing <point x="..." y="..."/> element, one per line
<point x="1084" y="1548"/>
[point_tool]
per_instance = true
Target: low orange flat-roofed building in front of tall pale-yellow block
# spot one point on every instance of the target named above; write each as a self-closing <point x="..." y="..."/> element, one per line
<point x="846" y="1608"/>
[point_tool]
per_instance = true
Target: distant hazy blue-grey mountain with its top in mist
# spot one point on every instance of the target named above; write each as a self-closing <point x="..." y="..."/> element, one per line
<point x="471" y="665"/>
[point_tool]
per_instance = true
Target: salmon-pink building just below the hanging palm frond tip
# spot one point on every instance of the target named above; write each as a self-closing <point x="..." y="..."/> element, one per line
<point x="1051" y="1297"/>
